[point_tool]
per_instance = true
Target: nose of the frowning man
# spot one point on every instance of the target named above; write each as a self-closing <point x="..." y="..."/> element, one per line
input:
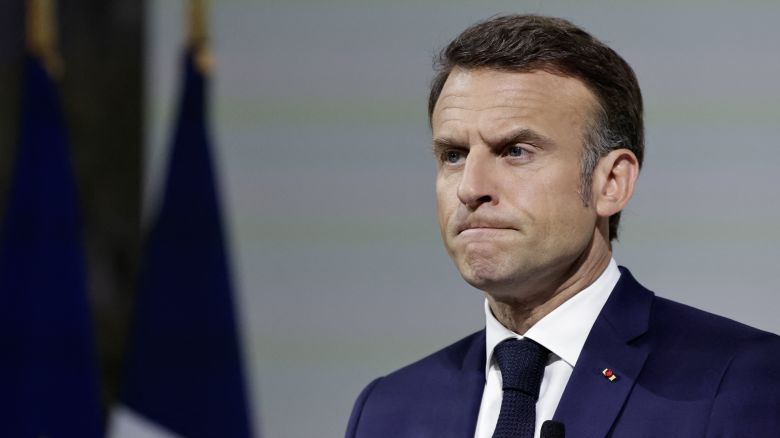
<point x="477" y="183"/>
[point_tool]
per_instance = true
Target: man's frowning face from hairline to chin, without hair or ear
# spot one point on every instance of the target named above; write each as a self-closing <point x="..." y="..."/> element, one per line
<point x="508" y="147"/>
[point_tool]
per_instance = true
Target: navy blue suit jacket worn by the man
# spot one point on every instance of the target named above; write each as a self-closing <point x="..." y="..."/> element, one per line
<point x="681" y="372"/>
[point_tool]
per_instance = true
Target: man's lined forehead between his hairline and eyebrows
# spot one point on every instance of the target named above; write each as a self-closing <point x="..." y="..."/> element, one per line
<point x="485" y="102"/>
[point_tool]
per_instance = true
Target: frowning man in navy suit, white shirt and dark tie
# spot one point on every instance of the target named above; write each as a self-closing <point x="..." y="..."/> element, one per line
<point x="538" y="134"/>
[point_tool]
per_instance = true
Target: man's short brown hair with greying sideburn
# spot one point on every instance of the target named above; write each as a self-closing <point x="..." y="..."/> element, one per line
<point x="526" y="43"/>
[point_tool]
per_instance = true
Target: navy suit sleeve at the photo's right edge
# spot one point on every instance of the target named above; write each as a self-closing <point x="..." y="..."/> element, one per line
<point x="748" y="398"/>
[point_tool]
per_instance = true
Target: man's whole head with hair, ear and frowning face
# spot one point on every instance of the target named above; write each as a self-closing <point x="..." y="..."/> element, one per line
<point x="537" y="129"/>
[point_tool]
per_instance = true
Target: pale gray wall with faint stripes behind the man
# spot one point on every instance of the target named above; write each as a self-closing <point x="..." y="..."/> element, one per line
<point x="322" y="140"/>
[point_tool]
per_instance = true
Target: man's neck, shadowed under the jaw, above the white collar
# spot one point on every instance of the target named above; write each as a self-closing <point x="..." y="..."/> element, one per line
<point x="520" y="314"/>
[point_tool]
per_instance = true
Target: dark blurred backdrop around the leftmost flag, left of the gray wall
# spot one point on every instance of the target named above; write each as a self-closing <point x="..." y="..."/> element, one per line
<point x="101" y="90"/>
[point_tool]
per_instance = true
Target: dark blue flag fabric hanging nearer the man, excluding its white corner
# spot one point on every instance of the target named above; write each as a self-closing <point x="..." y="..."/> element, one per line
<point x="184" y="369"/>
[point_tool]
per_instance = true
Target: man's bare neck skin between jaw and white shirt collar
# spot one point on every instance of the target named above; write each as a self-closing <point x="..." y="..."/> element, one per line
<point x="521" y="308"/>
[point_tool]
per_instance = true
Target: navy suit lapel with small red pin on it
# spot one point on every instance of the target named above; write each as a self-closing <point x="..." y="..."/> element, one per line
<point x="591" y="402"/>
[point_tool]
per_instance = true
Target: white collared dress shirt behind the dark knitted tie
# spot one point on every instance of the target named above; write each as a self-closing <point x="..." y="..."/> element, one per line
<point x="563" y="331"/>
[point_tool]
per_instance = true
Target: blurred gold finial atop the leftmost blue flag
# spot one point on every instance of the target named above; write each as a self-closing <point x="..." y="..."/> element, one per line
<point x="41" y="34"/>
